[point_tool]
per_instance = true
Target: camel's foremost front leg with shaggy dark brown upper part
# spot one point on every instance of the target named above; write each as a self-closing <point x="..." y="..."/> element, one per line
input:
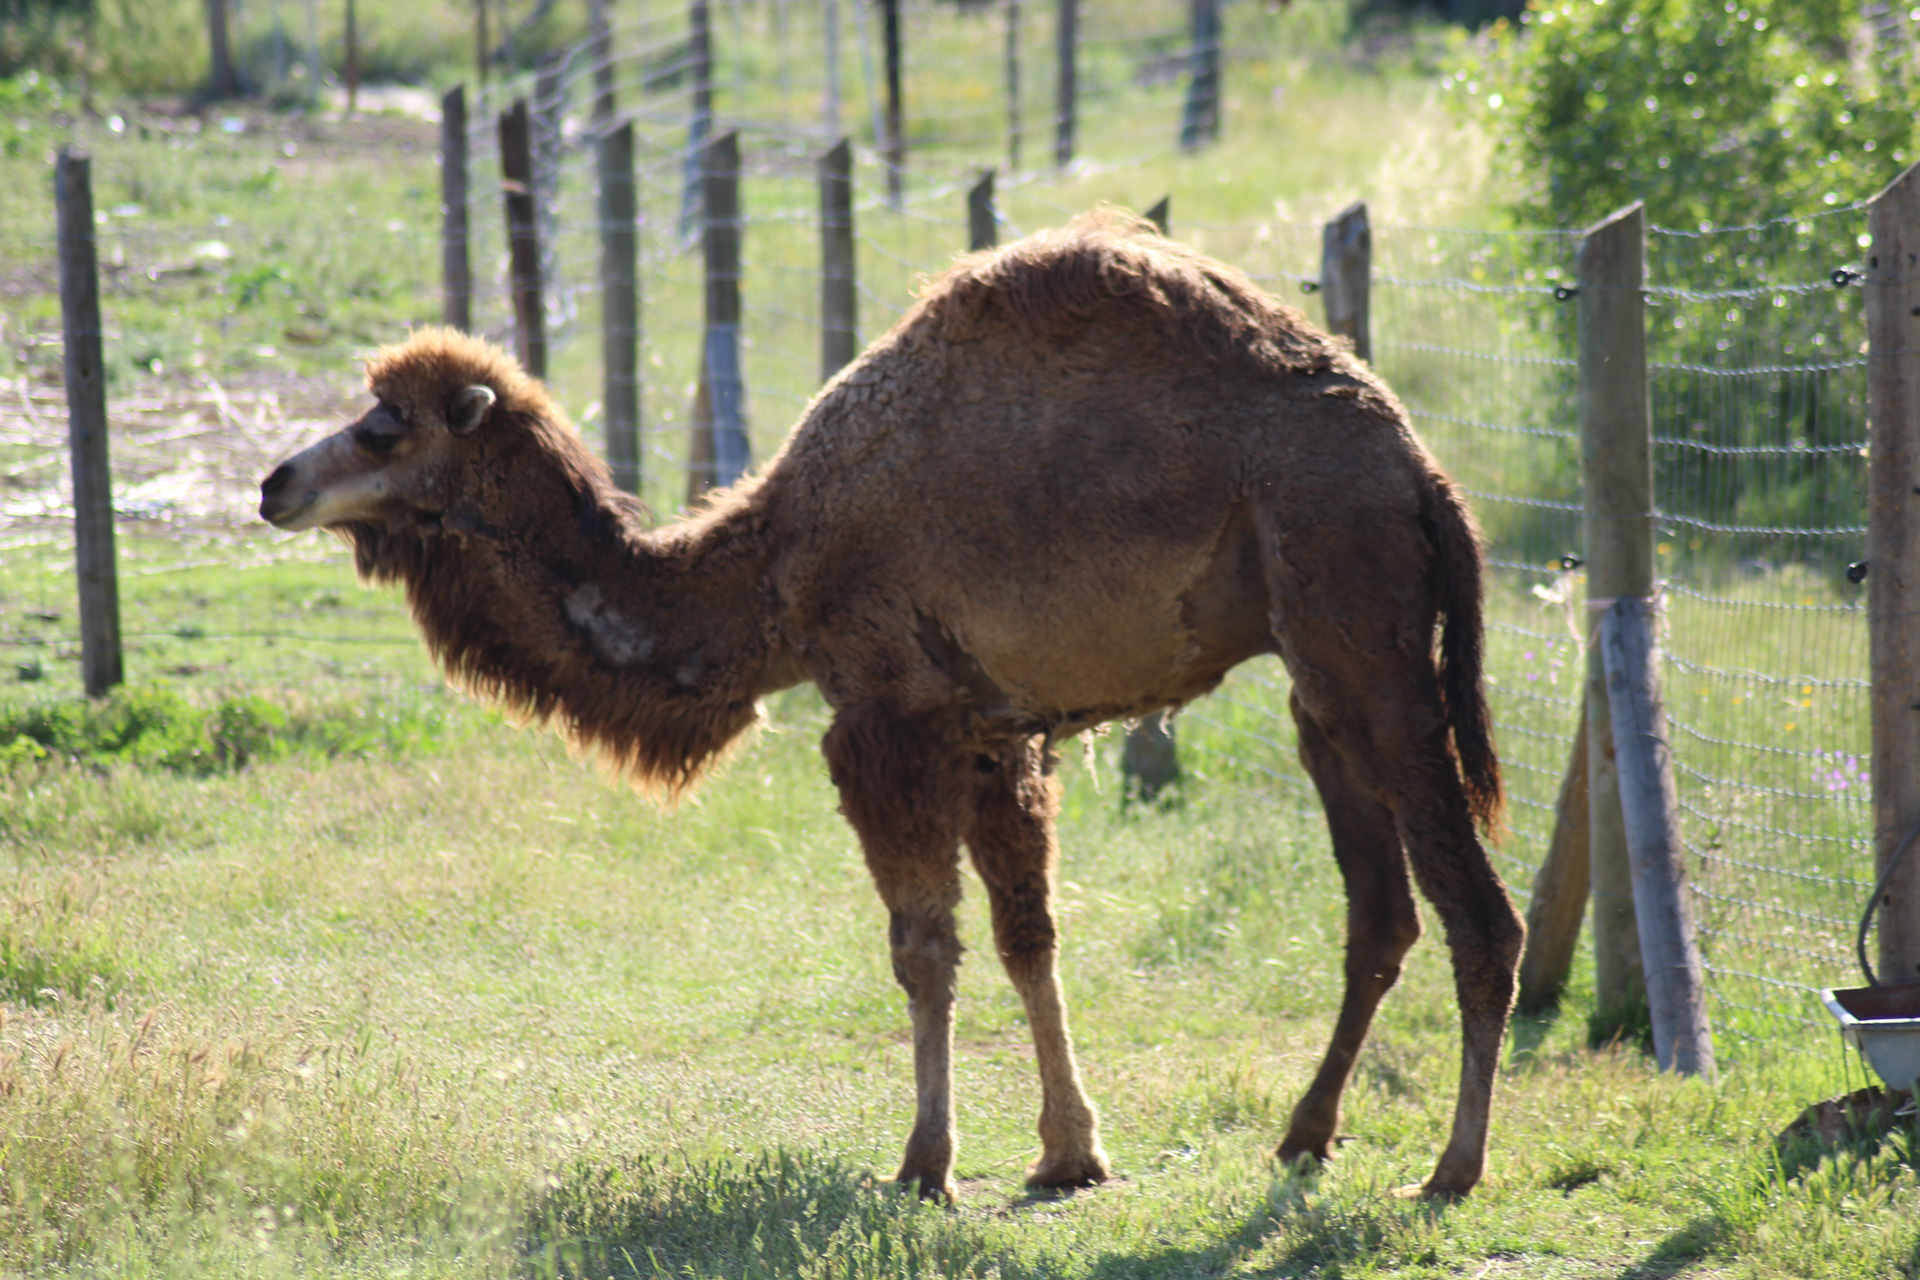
<point x="907" y="797"/>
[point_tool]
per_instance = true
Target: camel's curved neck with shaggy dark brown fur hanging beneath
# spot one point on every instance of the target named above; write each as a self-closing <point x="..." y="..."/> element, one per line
<point x="542" y="594"/>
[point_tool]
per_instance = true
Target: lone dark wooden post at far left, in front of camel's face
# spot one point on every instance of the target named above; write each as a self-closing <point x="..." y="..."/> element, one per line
<point x="87" y="425"/>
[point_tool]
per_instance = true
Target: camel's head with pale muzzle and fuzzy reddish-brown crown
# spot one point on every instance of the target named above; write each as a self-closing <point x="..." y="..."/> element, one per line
<point x="410" y="458"/>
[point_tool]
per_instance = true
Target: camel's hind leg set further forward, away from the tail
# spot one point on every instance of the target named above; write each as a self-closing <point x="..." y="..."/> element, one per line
<point x="1381" y="926"/>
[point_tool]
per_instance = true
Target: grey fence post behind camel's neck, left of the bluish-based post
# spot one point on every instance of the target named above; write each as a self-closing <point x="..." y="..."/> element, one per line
<point x="621" y="306"/>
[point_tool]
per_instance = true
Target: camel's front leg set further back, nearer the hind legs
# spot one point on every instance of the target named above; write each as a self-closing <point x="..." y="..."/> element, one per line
<point x="1013" y="841"/>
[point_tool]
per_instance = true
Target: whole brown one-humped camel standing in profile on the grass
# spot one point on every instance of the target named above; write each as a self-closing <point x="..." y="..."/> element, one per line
<point x="1078" y="483"/>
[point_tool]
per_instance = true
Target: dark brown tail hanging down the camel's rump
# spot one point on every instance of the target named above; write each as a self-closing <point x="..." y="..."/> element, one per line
<point x="1462" y="650"/>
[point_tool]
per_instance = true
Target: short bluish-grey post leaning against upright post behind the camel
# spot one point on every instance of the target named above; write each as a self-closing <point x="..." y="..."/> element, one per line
<point x="1669" y="955"/>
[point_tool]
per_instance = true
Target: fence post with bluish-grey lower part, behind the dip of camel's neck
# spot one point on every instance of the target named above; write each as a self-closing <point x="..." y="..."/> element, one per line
<point x="727" y="456"/>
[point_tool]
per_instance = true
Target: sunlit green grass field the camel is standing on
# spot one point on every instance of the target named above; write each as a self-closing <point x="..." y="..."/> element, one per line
<point x="308" y="966"/>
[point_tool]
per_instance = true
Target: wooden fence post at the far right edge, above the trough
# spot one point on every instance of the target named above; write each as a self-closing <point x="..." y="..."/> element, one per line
<point x="1894" y="557"/>
